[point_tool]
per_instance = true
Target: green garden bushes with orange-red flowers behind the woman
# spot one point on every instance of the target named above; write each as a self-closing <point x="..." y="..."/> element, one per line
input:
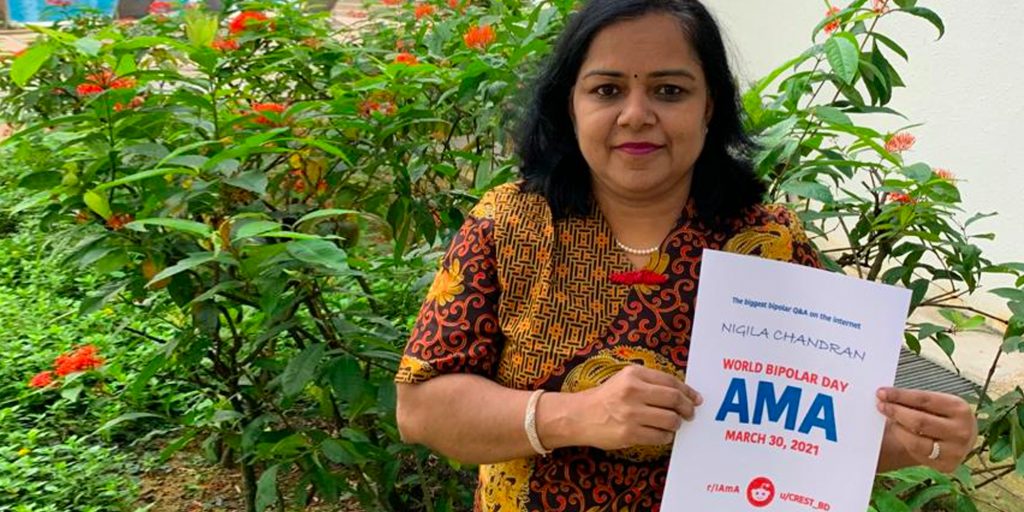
<point x="272" y="195"/>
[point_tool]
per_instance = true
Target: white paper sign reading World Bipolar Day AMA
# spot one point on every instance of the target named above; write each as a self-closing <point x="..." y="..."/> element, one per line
<point x="789" y="360"/>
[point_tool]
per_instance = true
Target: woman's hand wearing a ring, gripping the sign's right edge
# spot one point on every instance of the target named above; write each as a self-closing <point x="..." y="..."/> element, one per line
<point x="926" y="429"/>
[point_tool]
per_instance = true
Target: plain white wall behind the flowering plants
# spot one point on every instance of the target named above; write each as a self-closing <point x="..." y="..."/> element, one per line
<point x="967" y="88"/>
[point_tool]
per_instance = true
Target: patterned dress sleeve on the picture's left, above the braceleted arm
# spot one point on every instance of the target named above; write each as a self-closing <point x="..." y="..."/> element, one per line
<point x="457" y="330"/>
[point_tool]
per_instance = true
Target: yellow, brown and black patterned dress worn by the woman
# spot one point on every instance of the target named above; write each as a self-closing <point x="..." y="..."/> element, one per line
<point x="529" y="304"/>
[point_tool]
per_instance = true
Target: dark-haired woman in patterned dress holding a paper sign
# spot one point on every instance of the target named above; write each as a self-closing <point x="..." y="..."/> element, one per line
<point x="552" y="347"/>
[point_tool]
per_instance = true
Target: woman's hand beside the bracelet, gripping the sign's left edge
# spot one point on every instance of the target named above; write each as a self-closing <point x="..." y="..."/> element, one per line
<point x="636" y="407"/>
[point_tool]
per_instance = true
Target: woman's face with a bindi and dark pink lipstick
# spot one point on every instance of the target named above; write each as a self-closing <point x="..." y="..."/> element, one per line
<point x="641" y="106"/>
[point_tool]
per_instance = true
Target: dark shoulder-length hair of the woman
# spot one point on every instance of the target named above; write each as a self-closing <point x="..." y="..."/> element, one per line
<point x="551" y="163"/>
